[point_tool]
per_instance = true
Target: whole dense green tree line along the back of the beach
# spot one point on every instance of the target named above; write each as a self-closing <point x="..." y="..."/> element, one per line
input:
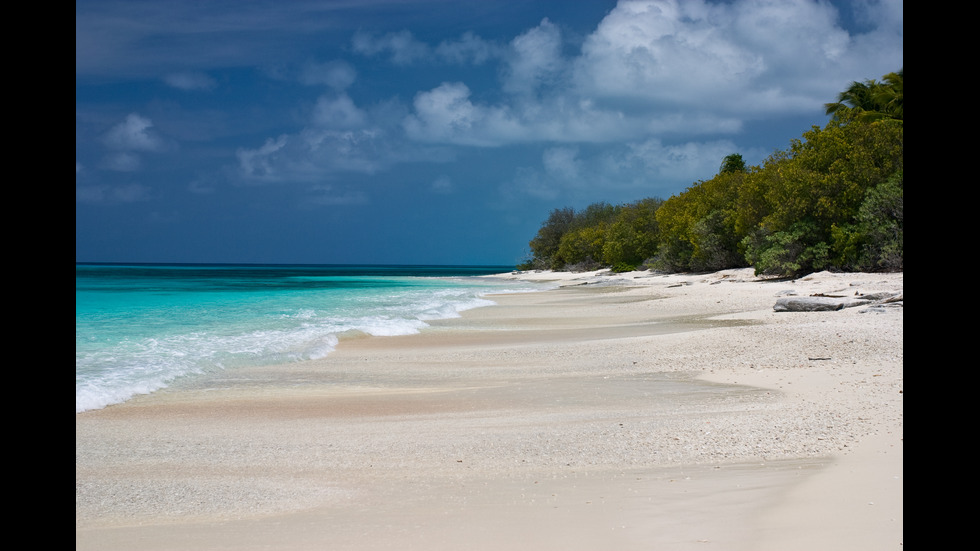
<point x="831" y="201"/>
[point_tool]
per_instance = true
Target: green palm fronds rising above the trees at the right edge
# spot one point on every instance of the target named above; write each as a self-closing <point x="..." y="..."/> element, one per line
<point x="871" y="100"/>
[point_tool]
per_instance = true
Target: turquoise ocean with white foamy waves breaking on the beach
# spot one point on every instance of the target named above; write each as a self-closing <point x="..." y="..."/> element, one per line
<point x="140" y="327"/>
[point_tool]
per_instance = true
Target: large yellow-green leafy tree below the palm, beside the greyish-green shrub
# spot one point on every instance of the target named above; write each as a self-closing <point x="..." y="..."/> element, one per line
<point x="799" y="212"/>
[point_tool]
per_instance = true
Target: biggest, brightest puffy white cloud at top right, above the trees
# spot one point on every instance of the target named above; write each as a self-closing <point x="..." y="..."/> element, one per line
<point x="744" y="58"/>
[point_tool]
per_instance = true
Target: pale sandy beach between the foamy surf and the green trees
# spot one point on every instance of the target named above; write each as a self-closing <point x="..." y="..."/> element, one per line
<point x="627" y="412"/>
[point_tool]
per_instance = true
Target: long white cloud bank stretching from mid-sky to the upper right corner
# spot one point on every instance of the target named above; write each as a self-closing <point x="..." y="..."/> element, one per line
<point x="652" y="68"/>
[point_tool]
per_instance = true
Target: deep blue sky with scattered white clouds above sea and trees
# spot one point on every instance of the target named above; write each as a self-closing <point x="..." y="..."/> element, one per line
<point x="430" y="131"/>
